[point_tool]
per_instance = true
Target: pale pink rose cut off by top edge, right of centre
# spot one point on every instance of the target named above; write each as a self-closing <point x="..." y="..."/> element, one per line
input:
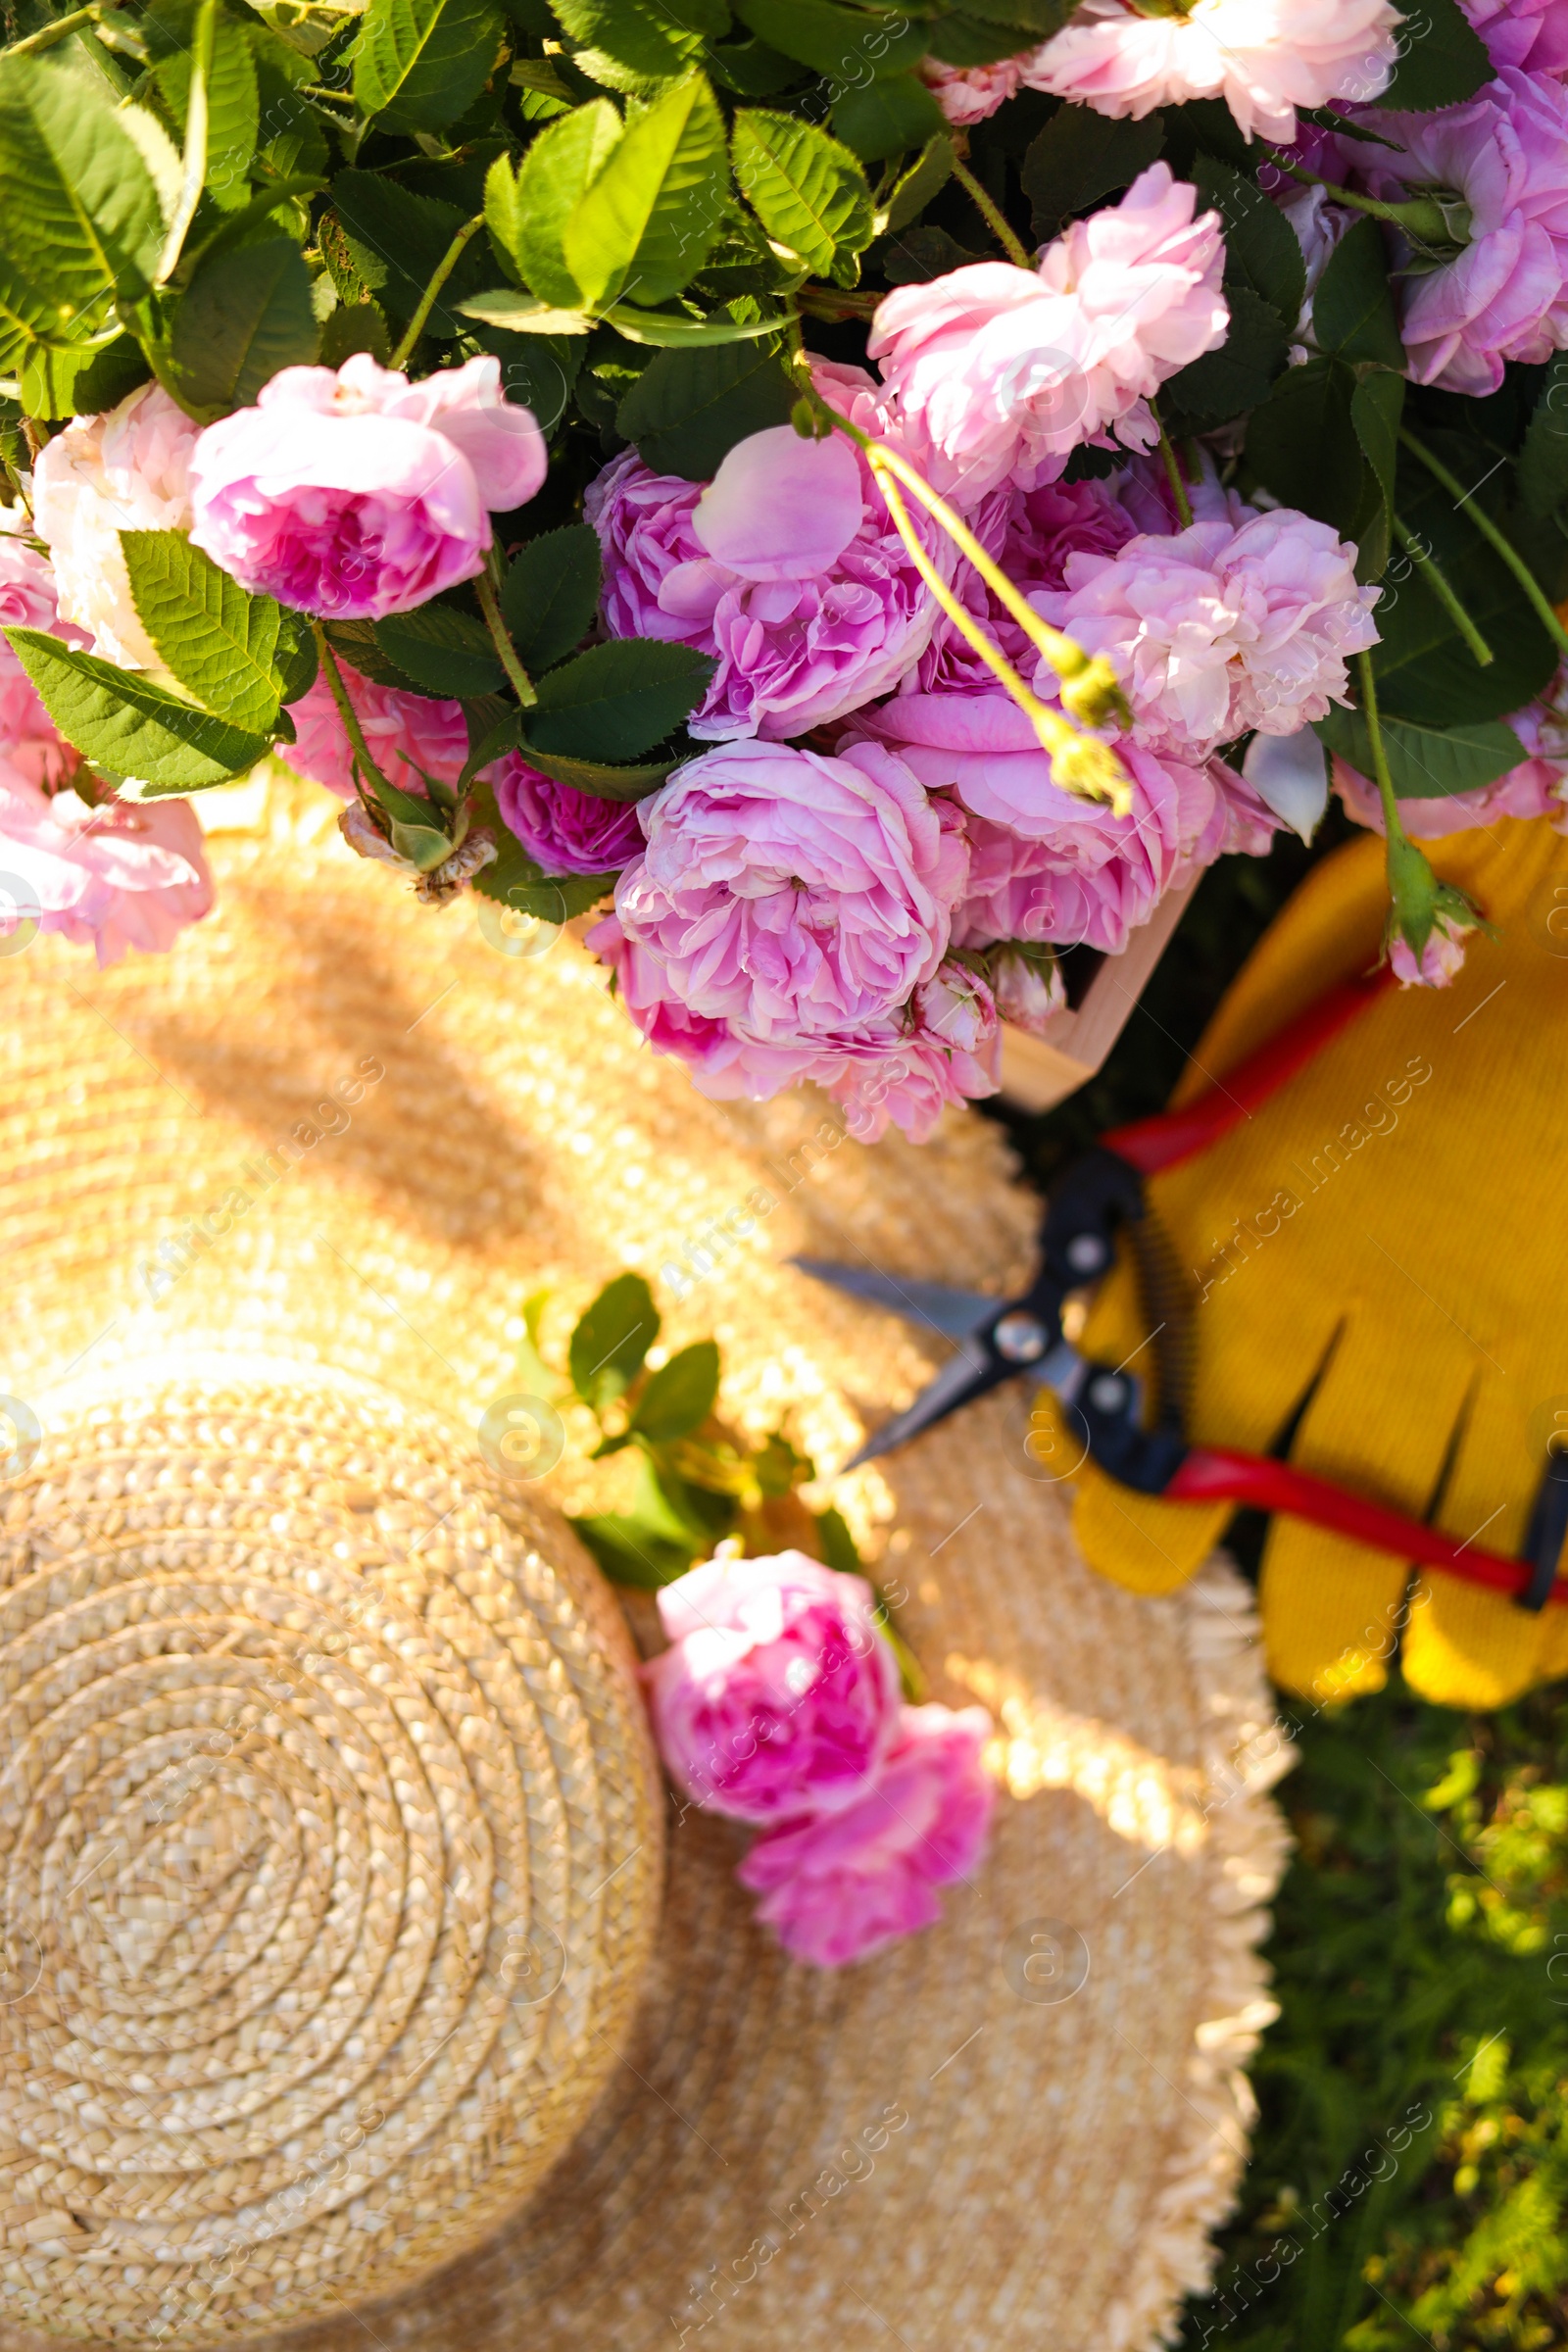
<point x="1264" y="58"/>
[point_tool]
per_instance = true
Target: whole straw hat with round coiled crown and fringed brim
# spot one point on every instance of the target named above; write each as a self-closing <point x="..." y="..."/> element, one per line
<point x="272" y="1210"/>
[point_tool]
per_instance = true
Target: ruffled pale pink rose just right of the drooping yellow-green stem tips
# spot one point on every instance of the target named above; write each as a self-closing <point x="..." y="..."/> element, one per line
<point x="1217" y="632"/>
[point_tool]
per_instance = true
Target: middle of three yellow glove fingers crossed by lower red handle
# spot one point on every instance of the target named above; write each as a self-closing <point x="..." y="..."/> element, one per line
<point x="1334" y="1610"/>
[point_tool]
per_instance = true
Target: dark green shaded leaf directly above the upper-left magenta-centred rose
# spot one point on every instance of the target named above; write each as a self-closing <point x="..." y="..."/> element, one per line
<point x="239" y="323"/>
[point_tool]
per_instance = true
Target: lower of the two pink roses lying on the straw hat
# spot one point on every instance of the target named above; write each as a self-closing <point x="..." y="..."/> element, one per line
<point x="845" y="1885"/>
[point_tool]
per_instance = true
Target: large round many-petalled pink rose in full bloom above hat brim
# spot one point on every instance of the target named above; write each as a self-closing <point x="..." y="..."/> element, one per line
<point x="789" y="893"/>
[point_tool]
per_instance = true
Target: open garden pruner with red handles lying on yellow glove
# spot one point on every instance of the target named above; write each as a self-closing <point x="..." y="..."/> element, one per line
<point x="1097" y="1201"/>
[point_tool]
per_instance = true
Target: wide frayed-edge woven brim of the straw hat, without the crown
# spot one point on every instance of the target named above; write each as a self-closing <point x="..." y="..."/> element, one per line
<point x="1014" y="2127"/>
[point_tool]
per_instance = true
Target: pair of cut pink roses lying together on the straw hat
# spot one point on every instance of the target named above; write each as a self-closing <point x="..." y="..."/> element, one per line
<point x="779" y="1706"/>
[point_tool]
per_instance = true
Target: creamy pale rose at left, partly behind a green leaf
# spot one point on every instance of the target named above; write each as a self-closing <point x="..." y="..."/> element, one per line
<point x="123" y="472"/>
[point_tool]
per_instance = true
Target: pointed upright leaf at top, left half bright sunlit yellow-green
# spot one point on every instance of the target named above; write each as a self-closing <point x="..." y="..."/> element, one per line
<point x="652" y="213"/>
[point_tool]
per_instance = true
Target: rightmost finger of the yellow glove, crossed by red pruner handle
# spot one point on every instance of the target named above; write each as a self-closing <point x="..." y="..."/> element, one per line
<point x="1468" y="1648"/>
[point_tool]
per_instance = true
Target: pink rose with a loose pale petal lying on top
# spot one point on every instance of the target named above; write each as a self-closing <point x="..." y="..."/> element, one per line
<point x="786" y="568"/>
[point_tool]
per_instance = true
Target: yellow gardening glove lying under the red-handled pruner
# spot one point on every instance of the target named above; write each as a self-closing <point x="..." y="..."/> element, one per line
<point x="1379" y="1271"/>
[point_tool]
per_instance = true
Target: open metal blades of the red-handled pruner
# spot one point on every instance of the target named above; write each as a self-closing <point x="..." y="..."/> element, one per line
<point x="996" y="1342"/>
